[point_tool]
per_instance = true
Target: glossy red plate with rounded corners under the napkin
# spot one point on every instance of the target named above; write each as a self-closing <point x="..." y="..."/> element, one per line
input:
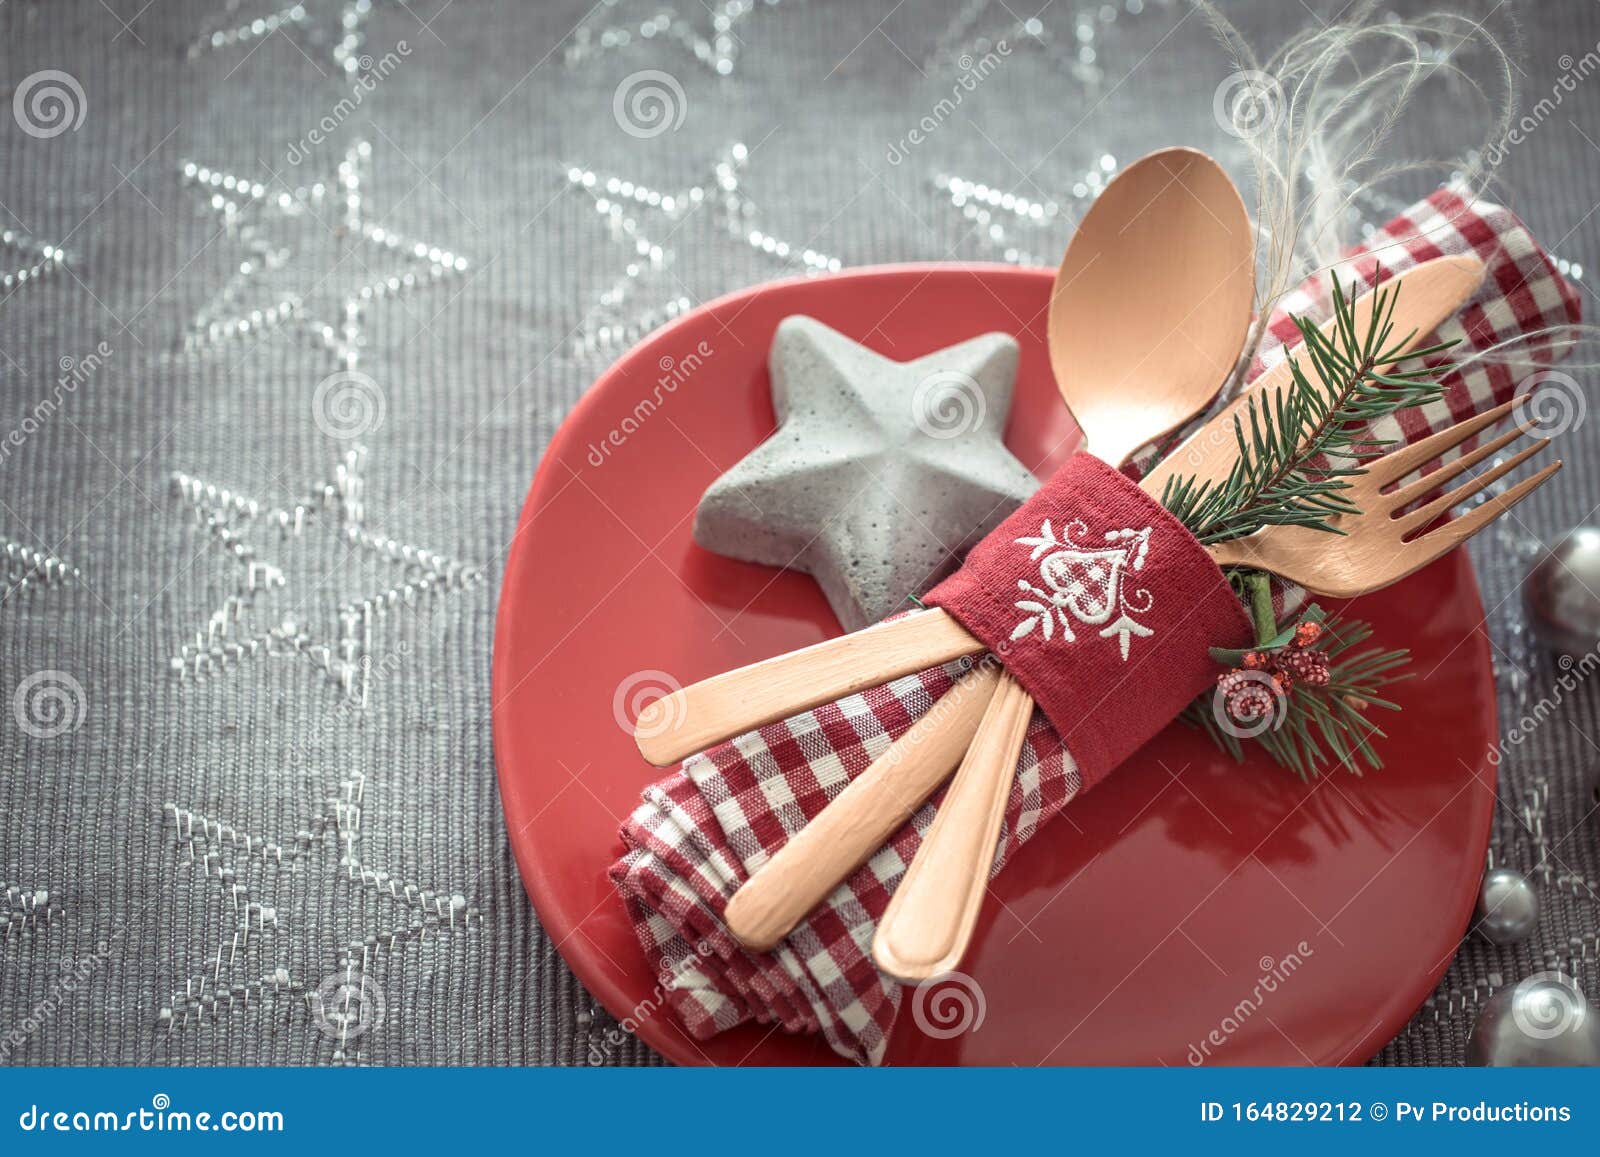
<point x="1186" y="908"/>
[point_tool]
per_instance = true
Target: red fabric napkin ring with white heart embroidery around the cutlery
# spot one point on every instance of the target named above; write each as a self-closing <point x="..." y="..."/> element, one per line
<point x="1102" y="606"/>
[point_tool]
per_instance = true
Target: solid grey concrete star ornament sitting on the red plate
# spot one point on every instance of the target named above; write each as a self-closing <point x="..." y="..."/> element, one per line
<point x="881" y="473"/>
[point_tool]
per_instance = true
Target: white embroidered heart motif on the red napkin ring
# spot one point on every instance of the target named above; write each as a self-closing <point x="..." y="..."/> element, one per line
<point x="1086" y="583"/>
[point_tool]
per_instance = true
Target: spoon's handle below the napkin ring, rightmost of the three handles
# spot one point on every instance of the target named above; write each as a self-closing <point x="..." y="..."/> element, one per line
<point x="932" y="916"/>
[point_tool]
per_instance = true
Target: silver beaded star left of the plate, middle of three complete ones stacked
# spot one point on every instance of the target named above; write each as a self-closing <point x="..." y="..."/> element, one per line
<point x="238" y="631"/>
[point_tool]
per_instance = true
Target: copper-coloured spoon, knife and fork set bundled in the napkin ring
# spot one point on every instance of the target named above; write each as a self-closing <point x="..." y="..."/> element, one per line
<point x="1148" y="319"/>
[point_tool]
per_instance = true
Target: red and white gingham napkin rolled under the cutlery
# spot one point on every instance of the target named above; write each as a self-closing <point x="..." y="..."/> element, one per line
<point x="703" y="830"/>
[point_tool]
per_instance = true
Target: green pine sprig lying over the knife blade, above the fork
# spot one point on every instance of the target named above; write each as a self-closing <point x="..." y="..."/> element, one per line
<point x="1302" y="442"/>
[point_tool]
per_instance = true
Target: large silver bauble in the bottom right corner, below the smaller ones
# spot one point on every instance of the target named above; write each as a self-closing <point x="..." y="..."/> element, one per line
<point x="1540" y="1022"/>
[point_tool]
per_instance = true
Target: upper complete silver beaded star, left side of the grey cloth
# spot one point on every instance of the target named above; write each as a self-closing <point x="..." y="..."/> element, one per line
<point x="254" y="212"/>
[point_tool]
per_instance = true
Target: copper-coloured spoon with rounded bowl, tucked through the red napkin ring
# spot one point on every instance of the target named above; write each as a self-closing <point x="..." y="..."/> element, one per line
<point x="1146" y="321"/>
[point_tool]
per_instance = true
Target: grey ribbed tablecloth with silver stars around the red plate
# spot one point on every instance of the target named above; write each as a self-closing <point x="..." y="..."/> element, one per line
<point x="374" y="839"/>
